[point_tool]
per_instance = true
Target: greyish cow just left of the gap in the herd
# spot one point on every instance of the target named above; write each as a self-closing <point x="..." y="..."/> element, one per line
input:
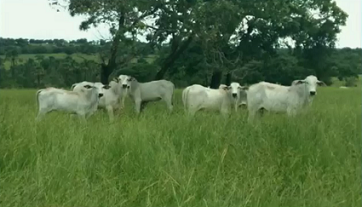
<point x="143" y="93"/>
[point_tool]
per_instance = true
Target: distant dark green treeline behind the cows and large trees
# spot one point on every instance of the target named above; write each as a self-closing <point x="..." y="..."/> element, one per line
<point x="191" y="67"/>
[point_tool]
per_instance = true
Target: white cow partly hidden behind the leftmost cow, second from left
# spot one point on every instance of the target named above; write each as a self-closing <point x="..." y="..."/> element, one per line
<point x="111" y="99"/>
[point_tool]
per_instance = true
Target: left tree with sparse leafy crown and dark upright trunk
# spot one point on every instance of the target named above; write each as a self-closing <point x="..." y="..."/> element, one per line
<point x="124" y="18"/>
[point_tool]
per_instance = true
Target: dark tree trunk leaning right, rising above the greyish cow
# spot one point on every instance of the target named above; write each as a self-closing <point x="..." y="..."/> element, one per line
<point x="172" y="57"/>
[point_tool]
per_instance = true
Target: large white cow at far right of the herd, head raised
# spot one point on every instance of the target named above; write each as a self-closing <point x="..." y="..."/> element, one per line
<point x="278" y="98"/>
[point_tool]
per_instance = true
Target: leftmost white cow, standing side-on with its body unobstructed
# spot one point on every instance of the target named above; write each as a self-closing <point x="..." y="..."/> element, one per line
<point x="83" y="102"/>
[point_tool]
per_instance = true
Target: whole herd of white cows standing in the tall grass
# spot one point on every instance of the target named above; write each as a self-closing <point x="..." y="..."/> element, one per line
<point x="85" y="98"/>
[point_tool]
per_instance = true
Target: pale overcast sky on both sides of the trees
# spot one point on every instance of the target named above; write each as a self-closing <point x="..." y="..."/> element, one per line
<point x="34" y="19"/>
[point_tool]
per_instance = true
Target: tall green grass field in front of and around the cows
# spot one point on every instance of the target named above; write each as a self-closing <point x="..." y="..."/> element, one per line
<point x="159" y="159"/>
